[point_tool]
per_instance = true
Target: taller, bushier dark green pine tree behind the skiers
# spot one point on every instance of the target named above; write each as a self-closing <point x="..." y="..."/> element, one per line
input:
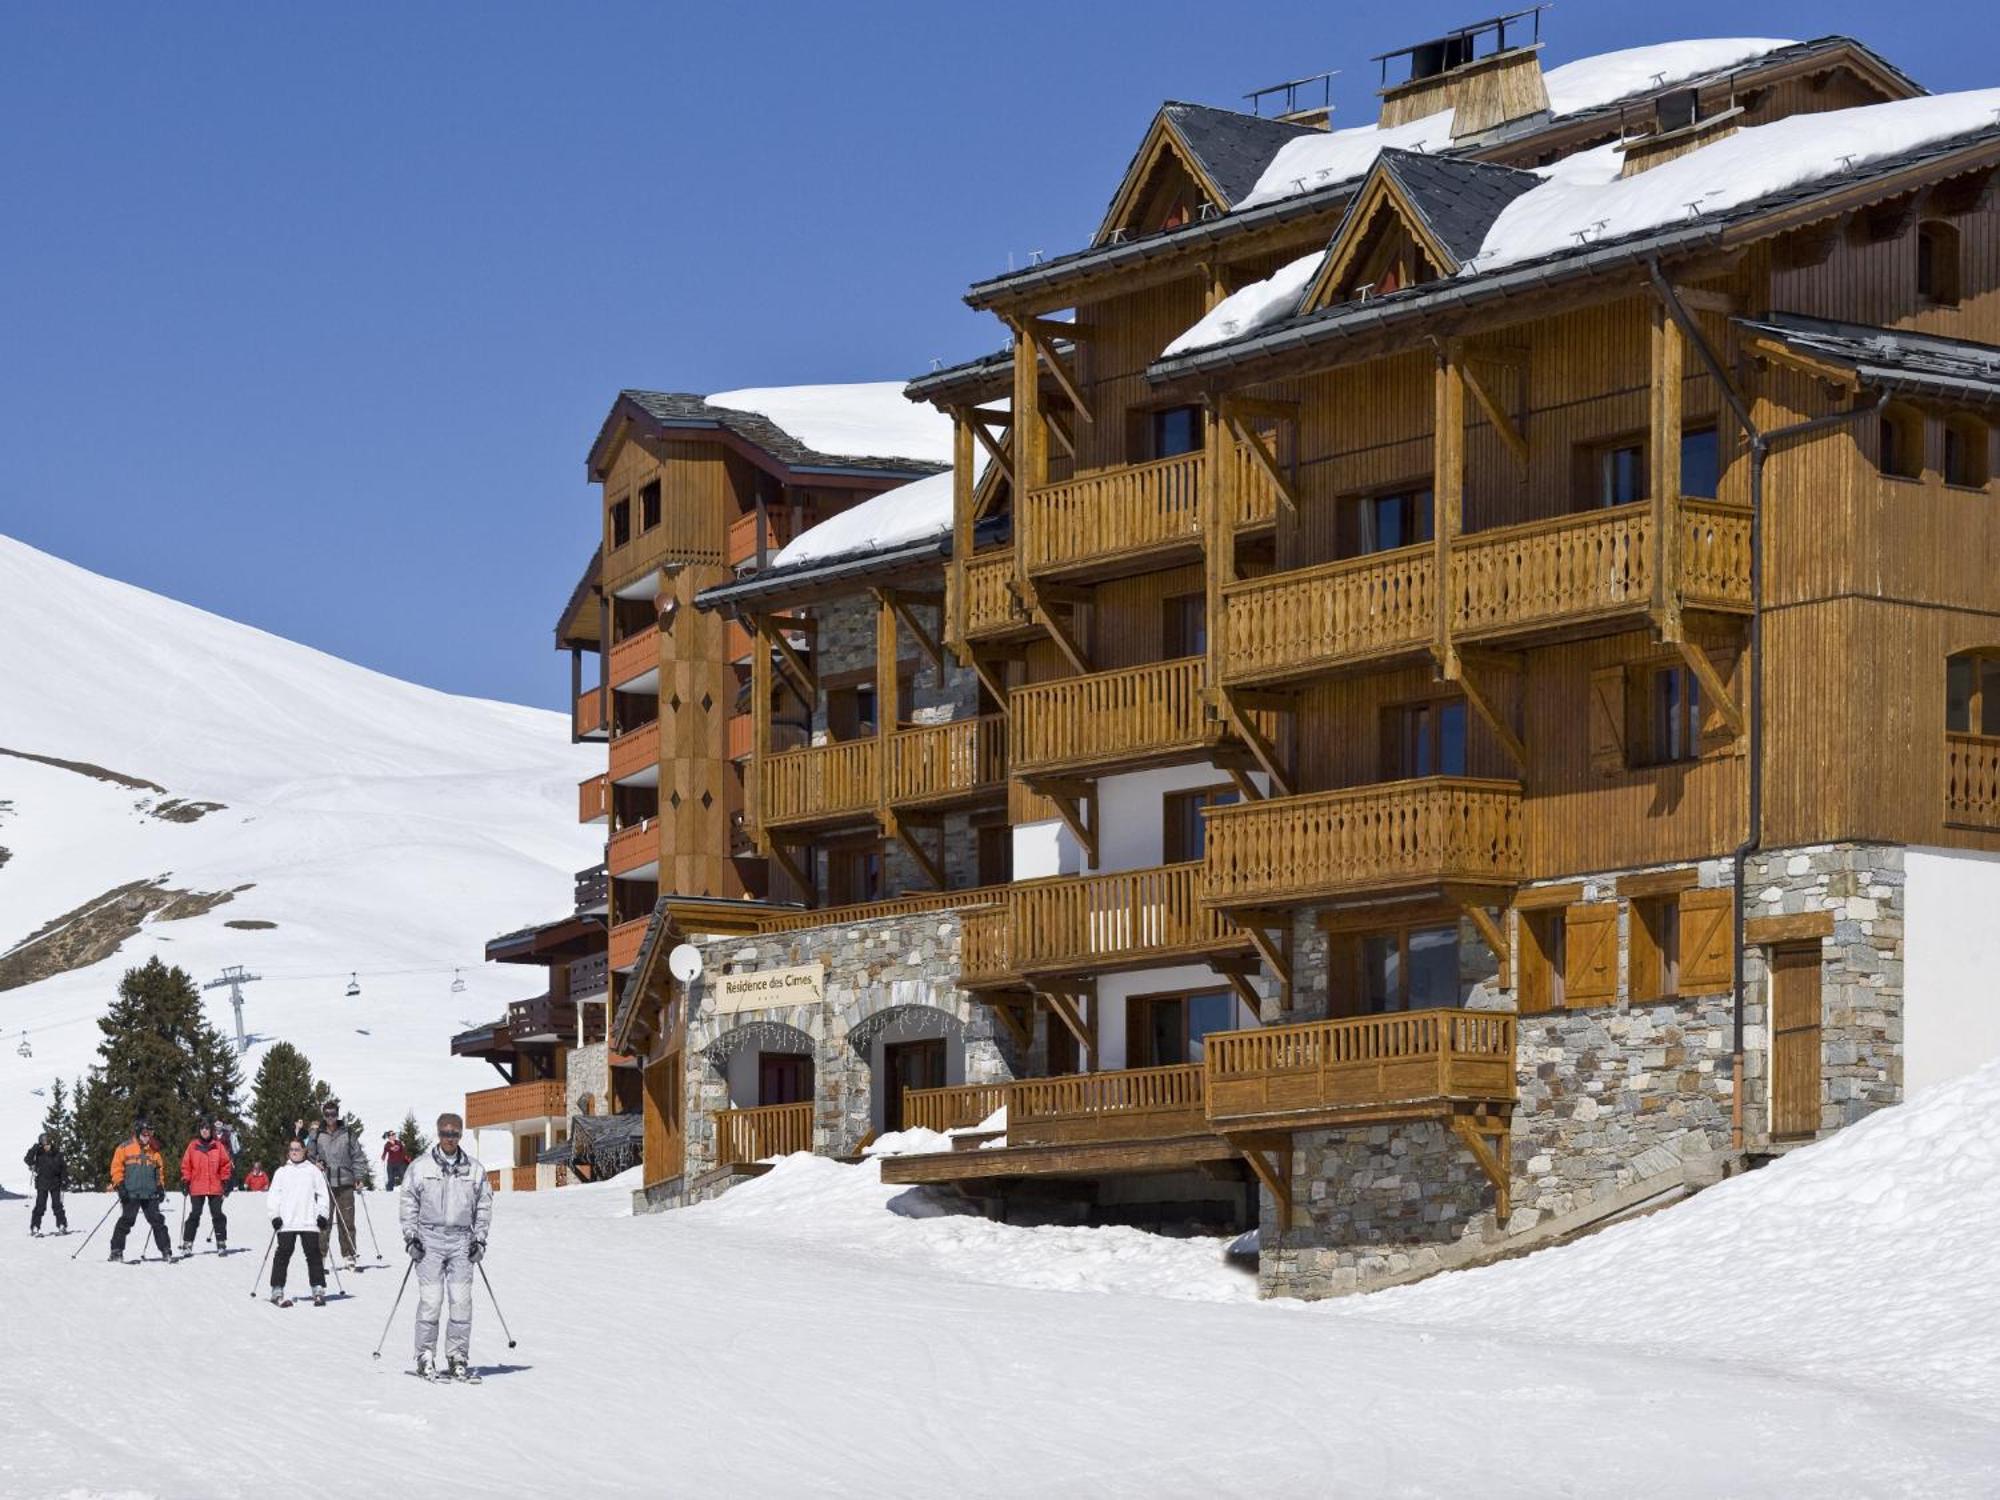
<point x="159" y="1061"/>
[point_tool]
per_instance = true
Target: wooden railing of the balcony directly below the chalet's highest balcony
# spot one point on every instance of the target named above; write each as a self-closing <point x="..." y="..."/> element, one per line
<point x="1109" y="717"/>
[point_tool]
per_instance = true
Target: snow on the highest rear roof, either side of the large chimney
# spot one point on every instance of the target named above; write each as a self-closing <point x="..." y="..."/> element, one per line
<point x="1335" y="157"/>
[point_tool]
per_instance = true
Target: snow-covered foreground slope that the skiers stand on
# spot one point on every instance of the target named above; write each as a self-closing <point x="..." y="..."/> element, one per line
<point x="1817" y="1329"/>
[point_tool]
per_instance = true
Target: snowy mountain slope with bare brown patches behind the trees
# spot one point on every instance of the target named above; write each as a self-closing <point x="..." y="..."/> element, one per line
<point x="383" y="827"/>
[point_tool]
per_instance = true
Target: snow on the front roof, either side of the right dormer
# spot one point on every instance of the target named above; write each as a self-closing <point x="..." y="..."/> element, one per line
<point x="1583" y="199"/>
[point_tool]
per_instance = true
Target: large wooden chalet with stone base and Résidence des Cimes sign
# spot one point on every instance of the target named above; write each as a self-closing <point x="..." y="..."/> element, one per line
<point x="1453" y="693"/>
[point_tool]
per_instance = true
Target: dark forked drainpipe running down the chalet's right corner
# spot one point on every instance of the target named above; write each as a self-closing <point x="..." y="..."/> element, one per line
<point x="1761" y="447"/>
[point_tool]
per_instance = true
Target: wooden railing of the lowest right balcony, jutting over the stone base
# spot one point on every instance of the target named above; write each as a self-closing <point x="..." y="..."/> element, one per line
<point x="1361" y="1065"/>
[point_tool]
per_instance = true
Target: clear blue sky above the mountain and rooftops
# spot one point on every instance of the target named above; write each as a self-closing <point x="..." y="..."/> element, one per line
<point x="309" y="317"/>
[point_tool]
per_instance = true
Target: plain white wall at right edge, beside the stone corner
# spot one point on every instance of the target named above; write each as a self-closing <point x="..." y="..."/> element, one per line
<point x="1951" y="955"/>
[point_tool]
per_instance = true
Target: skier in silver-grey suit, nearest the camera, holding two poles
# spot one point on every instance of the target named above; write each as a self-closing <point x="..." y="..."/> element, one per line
<point x="447" y="1211"/>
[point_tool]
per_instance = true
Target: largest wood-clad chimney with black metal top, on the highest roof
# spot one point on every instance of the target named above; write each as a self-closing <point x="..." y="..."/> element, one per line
<point x="1489" y="75"/>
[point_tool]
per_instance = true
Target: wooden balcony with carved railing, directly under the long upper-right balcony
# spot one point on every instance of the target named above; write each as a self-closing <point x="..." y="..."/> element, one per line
<point x="1365" y="841"/>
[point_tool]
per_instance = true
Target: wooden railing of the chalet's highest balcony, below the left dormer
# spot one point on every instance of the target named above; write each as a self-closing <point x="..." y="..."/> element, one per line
<point x="1113" y="513"/>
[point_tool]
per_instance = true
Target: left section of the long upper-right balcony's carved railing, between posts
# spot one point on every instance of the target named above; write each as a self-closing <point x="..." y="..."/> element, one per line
<point x="1295" y="623"/>
